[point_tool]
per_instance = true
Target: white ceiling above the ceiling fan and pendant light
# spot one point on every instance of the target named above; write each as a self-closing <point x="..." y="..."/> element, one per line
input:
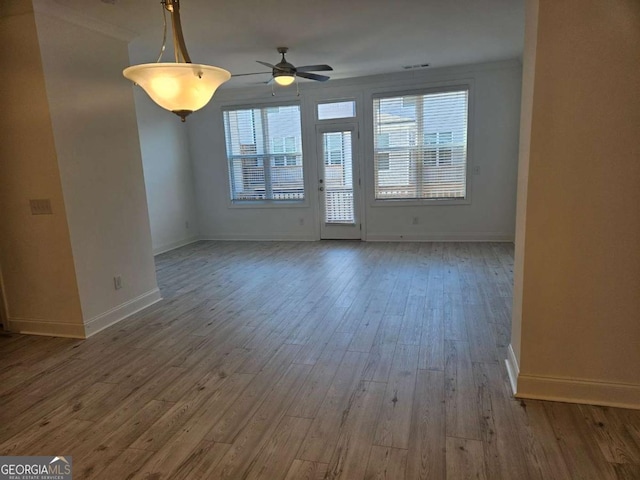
<point x="355" y="37"/>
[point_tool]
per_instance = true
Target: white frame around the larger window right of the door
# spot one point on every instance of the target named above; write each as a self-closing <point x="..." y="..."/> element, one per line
<point x="440" y="87"/>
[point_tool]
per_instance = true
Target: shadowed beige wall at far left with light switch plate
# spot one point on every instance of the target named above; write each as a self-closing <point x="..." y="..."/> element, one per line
<point x="38" y="274"/>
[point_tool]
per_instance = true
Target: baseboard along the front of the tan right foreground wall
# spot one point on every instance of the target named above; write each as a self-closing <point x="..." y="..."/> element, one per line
<point x="579" y="391"/>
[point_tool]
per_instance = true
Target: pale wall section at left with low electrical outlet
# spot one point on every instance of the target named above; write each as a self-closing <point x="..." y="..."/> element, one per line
<point x="96" y="139"/>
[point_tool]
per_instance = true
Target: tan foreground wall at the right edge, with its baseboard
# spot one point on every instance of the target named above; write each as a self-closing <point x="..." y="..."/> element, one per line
<point x="579" y="269"/>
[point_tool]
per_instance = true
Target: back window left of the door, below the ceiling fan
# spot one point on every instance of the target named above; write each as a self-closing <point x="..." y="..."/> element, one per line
<point x="264" y="153"/>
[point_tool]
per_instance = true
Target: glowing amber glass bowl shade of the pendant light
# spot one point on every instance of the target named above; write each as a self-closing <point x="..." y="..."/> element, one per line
<point x="178" y="86"/>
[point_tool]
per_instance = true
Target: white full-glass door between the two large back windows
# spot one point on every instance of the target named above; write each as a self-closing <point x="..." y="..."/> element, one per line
<point x="338" y="182"/>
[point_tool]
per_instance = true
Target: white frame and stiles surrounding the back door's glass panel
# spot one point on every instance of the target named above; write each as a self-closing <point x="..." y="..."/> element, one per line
<point x="341" y="125"/>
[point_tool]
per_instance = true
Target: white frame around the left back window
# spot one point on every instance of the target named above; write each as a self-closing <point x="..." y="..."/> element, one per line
<point x="266" y="203"/>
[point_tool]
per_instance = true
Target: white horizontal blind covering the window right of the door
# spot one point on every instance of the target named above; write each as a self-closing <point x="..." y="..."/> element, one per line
<point x="420" y="146"/>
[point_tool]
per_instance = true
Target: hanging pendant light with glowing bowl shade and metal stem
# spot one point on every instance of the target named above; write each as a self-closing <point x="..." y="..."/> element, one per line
<point x="181" y="87"/>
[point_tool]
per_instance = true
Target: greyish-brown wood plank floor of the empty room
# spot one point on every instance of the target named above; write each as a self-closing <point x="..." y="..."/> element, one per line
<point x="307" y="361"/>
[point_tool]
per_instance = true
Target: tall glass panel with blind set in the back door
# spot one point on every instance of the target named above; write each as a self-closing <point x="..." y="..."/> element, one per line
<point x="338" y="178"/>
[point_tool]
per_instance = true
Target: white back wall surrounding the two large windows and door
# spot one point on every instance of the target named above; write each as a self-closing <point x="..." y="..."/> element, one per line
<point x="490" y="215"/>
